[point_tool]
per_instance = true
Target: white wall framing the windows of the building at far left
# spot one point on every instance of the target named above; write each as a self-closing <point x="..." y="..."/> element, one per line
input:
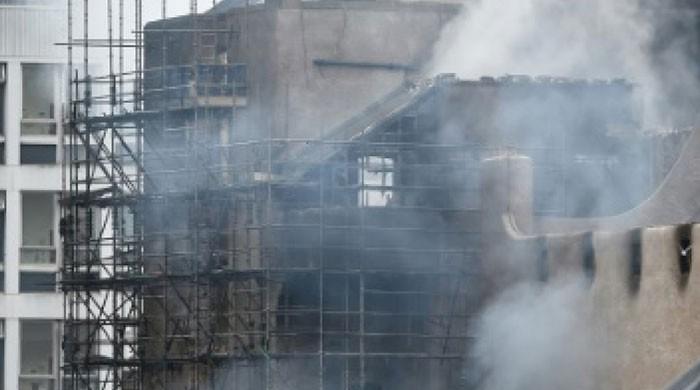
<point x="28" y="35"/>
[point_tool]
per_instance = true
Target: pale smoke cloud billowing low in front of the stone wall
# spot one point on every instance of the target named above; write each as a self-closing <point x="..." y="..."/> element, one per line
<point x="537" y="337"/>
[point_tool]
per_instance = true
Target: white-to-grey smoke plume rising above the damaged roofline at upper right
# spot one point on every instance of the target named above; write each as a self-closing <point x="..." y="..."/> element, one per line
<point x="593" y="39"/>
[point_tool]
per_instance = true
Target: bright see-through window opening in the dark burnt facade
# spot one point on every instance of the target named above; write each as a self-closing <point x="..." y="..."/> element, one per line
<point x="376" y="177"/>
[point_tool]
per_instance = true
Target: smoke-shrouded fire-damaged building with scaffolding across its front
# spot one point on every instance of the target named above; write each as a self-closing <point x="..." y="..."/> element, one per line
<point x="284" y="200"/>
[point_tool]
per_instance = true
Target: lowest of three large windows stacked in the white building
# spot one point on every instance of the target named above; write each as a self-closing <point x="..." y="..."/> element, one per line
<point x="37" y="355"/>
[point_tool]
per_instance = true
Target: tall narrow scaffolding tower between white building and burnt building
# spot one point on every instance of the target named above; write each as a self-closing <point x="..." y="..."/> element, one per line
<point x="103" y="183"/>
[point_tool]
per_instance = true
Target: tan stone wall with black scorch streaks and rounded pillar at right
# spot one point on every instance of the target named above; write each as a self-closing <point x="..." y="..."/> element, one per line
<point x="640" y="284"/>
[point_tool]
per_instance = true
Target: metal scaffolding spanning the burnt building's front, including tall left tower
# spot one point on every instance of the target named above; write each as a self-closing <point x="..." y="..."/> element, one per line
<point x="195" y="260"/>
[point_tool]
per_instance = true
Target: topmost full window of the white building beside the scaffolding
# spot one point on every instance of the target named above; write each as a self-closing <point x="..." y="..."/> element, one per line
<point x="38" y="110"/>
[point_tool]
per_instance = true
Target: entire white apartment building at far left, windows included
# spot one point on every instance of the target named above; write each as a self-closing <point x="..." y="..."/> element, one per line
<point x="32" y="90"/>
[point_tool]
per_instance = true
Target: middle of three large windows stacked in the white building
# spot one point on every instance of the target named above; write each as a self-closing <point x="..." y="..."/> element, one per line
<point x="38" y="228"/>
